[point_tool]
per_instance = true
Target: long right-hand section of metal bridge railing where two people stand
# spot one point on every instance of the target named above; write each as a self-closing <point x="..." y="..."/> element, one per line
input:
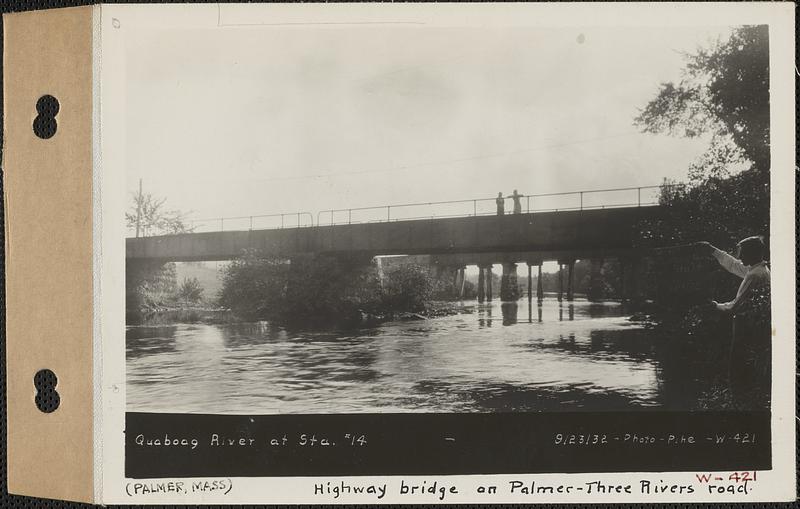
<point x="643" y="196"/>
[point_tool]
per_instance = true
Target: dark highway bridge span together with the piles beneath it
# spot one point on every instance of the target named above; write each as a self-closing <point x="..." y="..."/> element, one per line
<point x="451" y="243"/>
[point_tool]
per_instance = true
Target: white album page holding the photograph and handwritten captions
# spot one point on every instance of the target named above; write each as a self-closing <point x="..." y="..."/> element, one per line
<point x="446" y="253"/>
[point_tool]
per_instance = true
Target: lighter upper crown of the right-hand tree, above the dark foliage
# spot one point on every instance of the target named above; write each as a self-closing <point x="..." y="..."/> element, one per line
<point x="724" y="92"/>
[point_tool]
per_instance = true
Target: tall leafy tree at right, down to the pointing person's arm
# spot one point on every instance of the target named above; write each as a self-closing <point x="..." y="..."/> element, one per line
<point x="724" y="93"/>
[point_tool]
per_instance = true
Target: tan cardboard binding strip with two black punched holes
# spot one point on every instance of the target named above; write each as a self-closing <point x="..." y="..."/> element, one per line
<point x="48" y="193"/>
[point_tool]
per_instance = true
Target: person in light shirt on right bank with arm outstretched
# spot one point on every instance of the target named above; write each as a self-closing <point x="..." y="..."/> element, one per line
<point x="749" y="359"/>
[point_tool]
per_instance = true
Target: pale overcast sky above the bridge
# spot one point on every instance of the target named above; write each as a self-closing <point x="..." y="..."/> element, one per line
<point x="244" y="121"/>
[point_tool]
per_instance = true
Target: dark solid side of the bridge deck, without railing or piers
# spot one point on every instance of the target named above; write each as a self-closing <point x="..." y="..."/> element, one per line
<point x="579" y="232"/>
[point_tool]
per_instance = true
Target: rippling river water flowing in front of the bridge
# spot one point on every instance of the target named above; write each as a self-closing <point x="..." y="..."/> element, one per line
<point x="492" y="357"/>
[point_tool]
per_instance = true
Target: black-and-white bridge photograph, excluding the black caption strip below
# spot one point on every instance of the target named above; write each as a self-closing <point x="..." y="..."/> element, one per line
<point x="462" y="220"/>
